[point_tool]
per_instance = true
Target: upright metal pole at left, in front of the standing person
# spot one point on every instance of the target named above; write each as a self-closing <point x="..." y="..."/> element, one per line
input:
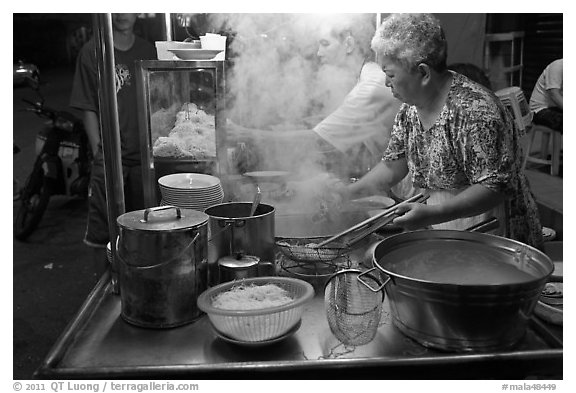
<point x="109" y="127"/>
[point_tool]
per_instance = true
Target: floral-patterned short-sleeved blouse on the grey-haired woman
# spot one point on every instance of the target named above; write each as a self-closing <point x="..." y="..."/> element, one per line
<point x="474" y="141"/>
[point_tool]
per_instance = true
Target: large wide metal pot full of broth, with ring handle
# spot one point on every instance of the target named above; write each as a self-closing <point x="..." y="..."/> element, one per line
<point x="481" y="301"/>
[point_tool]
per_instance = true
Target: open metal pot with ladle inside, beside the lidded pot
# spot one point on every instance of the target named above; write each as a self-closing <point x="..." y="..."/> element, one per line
<point x="233" y="231"/>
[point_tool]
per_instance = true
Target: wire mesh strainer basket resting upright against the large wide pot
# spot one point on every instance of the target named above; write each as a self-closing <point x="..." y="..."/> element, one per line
<point x="353" y="308"/>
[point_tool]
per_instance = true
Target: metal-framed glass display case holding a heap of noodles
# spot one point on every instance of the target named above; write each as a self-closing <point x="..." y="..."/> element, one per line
<point x="180" y="107"/>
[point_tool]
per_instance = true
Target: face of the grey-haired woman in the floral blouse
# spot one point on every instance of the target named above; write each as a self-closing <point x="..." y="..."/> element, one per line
<point x="405" y="85"/>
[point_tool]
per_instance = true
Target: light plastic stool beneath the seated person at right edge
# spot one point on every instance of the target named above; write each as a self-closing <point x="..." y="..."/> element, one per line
<point x="547" y="134"/>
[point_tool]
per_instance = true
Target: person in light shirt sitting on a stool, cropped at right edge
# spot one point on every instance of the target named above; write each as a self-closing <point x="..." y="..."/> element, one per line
<point x="546" y="100"/>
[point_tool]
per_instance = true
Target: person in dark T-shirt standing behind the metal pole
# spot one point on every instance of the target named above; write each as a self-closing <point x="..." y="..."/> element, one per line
<point x="127" y="49"/>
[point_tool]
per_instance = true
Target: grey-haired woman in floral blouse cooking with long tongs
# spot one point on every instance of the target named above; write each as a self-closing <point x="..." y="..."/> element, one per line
<point x="454" y="136"/>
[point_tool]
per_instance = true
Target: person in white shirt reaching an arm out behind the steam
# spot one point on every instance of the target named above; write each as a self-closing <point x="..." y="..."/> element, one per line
<point x="359" y="129"/>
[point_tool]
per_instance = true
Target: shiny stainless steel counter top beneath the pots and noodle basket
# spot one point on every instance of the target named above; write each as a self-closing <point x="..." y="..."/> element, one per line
<point x="98" y="343"/>
